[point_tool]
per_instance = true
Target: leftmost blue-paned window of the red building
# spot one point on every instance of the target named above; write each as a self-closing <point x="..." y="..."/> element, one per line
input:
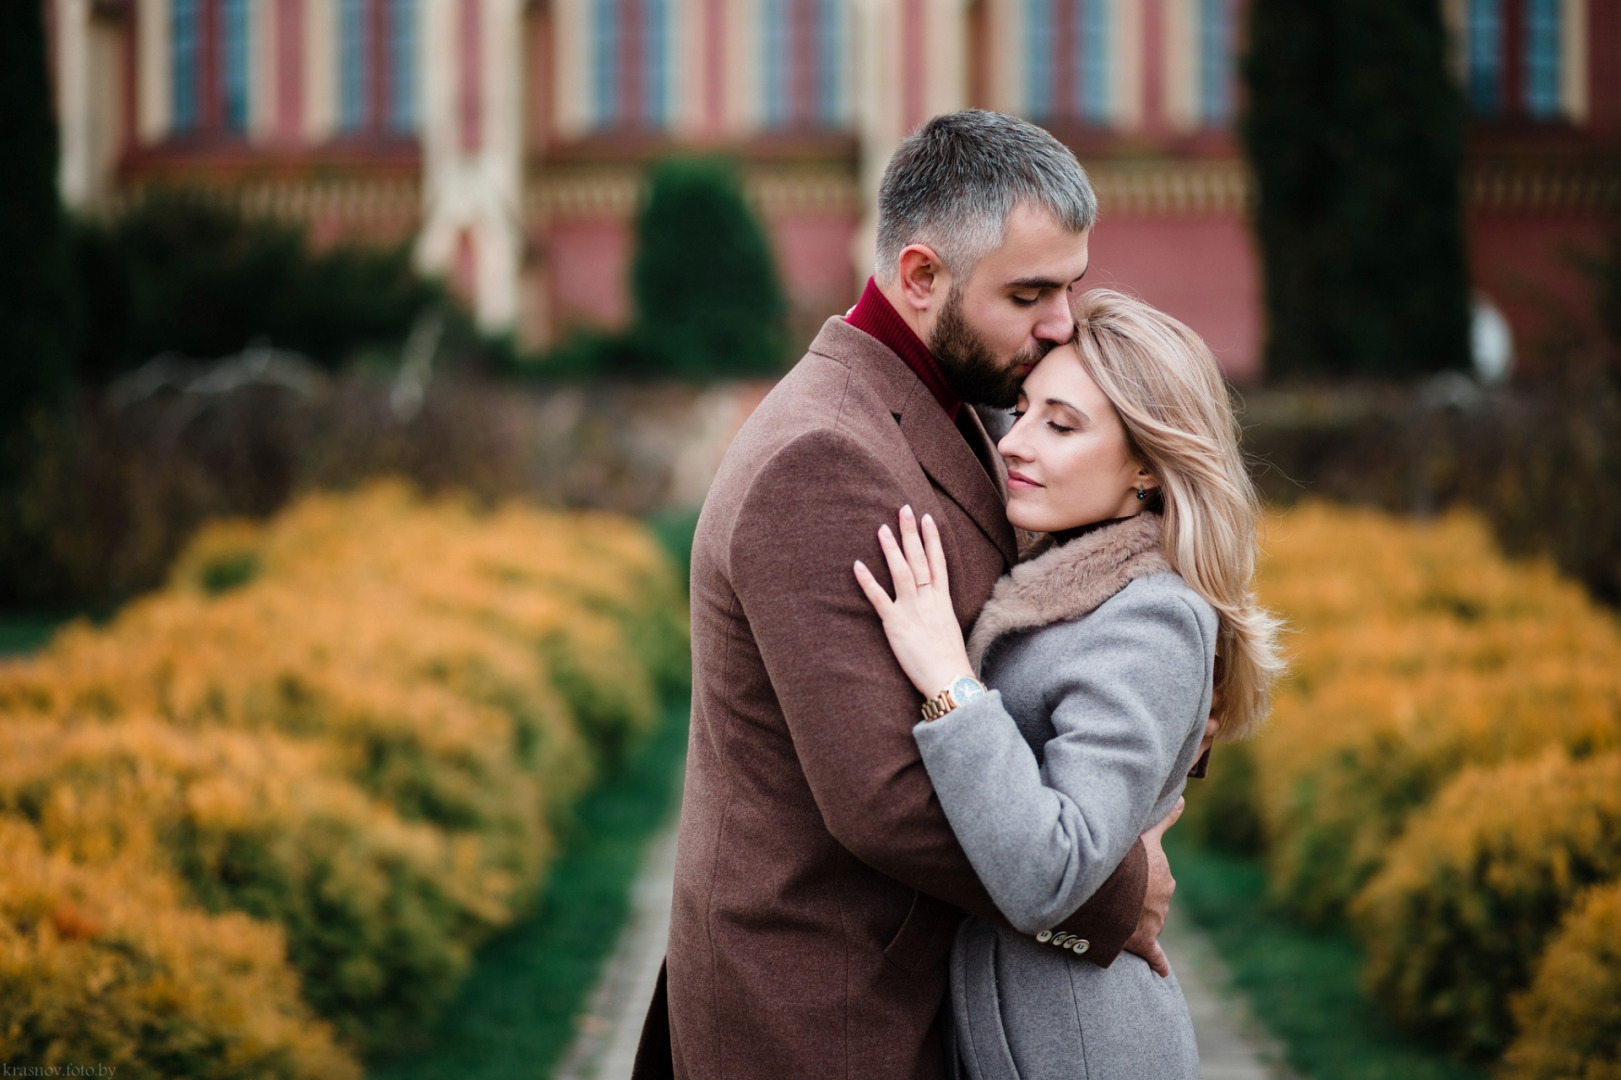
<point x="210" y="58"/>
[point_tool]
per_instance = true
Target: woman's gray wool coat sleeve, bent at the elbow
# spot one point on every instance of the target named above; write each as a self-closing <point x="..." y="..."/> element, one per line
<point x="1129" y="692"/>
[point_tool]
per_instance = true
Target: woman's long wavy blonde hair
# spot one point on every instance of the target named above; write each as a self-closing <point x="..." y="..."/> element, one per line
<point x="1179" y="421"/>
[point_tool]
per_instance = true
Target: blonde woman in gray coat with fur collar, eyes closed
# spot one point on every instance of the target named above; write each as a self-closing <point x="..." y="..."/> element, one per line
<point x="1106" y="648"/>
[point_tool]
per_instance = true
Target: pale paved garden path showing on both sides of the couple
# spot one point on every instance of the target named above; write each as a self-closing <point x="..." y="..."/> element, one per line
<point x="1233" y="1045"/>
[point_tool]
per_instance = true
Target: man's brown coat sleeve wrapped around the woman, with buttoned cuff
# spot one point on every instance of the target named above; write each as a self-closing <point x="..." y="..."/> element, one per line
<point x="808" y="516"/>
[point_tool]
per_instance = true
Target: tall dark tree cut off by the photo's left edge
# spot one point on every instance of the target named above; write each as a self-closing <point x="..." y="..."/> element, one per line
<point x="36" y="298"/>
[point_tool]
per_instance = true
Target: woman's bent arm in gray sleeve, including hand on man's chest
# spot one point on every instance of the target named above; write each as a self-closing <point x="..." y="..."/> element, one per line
<point x="1041" y="841"/>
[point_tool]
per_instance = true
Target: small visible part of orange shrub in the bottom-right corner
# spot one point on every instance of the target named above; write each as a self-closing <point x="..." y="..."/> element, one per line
<point x="1572" y="1018"/>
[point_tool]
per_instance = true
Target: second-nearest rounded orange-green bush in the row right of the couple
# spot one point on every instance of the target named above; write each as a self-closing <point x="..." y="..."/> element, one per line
<point x="1476" y="886"/>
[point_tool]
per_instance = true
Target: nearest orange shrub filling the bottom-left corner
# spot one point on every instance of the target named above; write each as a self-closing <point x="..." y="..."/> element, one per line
<point x="105" y="966"/>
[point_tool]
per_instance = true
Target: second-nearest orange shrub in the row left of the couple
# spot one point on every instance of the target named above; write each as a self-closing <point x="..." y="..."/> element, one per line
<point x="380" y="914"/>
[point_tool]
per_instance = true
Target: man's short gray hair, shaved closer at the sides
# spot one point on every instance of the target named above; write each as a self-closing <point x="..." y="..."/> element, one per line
<point x="954" y="182"/>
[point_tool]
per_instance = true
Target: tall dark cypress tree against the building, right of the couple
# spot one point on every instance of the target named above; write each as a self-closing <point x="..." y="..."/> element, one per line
<point x="1354" y="131"/>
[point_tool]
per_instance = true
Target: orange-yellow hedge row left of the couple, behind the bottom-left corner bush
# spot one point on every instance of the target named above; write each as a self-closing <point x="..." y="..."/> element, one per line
<point x="362" y="722"/>
